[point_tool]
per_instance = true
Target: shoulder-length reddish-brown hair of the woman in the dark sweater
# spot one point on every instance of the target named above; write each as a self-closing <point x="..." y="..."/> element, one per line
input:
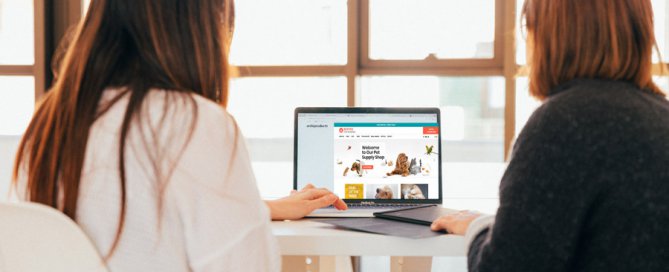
<point x="605" y="39"/>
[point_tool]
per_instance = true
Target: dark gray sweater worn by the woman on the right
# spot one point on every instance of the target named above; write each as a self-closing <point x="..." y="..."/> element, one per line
<point x="587" y="188"/>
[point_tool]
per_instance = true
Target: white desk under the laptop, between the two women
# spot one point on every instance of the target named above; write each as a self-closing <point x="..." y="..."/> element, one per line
<point x="318" y="247"/>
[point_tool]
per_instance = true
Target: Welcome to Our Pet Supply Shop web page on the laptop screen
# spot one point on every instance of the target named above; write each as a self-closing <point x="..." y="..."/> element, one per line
<point x="386" y="160"/>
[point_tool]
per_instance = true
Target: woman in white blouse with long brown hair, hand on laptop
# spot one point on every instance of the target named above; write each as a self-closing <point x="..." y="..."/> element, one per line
<point x="133" y="143"/>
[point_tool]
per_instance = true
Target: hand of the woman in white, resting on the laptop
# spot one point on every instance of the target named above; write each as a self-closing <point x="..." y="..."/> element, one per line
<point x="303" y="202"/>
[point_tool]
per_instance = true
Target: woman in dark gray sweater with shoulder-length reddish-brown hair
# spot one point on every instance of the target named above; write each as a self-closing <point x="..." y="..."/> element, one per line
<point x="587" y="187"/>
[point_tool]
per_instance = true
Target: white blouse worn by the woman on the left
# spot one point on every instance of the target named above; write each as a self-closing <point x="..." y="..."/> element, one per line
<point x="192" y="201"/>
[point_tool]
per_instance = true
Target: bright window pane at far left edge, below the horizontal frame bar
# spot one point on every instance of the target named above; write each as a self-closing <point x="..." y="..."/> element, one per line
<point x="17" y="102"/>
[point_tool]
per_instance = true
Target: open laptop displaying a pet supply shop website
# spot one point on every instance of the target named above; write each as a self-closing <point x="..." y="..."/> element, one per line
<point x="375" y="159"/>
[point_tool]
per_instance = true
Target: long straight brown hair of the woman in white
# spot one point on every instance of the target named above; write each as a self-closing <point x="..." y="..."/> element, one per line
<point x="179" y="46"/>
